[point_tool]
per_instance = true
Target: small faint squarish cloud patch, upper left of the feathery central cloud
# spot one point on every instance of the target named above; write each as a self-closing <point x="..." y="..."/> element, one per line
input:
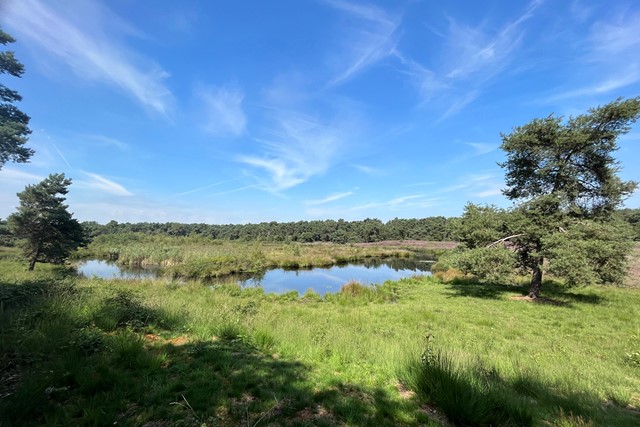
<point x="223" y="113"/>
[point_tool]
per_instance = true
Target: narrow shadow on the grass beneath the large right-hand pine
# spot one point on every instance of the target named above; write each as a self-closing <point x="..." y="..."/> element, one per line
<point x="553" y="293"/>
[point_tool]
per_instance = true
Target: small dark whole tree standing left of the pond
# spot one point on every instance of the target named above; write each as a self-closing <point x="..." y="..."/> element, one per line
<point x="50" y="233"/>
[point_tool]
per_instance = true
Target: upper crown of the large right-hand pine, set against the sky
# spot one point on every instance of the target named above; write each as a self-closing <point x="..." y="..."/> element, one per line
<point x="573" y="160"/>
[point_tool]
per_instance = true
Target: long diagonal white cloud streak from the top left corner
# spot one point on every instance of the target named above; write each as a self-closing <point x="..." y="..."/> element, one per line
<point x="89" y="48"/>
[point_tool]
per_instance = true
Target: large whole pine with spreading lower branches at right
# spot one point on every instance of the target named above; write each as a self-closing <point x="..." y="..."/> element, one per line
<point x="564" y="180"/>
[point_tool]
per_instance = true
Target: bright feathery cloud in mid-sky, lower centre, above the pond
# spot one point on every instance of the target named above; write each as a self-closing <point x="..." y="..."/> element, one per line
<point x="299" y="148"/>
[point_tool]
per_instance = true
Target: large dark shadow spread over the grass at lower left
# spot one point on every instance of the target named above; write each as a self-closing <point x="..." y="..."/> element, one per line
<point x="109" y="368"/>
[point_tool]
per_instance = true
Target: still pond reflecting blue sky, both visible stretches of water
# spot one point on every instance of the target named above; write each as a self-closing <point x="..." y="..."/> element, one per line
<point x="321" y="280"/>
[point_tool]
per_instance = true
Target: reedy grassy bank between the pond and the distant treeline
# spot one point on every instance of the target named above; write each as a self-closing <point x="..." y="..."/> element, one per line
<point x="204" y="258"/>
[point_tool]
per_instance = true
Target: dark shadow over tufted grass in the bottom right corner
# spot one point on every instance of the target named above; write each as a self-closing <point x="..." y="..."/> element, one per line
<point x="475" y="394"/>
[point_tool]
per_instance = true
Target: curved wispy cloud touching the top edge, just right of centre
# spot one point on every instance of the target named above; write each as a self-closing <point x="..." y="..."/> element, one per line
<point x="372" y="40"/>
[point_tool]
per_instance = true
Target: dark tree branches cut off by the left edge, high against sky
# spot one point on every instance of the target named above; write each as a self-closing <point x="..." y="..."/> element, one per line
<point x="13" y="122"/>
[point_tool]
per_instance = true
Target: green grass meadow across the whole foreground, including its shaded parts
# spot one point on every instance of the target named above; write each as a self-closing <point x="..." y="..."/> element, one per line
<point x="95" y="352"/>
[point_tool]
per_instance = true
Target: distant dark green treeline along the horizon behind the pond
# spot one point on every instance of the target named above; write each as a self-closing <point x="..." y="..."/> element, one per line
<point x="436" y="228"/>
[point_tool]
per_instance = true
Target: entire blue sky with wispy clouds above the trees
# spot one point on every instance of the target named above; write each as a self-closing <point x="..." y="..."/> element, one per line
<point x="250" y="111"/>
